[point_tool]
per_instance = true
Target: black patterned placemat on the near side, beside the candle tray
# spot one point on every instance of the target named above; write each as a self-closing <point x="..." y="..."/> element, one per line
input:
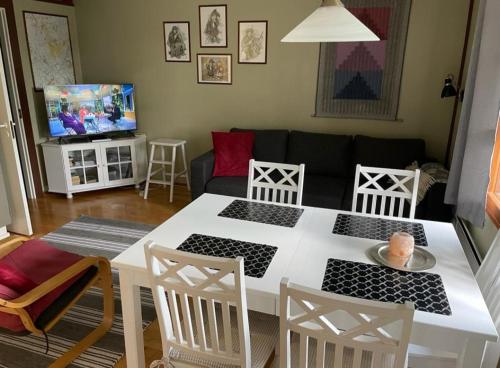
<point x="384" y="284"/>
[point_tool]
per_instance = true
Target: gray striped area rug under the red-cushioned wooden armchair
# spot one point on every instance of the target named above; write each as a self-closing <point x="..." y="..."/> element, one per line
<point x="85" y="236"/>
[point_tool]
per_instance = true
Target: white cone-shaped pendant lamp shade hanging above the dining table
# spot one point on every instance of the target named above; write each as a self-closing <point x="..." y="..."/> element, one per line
<point x="332" y="22"/>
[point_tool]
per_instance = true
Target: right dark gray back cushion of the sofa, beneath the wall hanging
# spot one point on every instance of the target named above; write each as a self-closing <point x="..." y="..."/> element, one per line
<point x="389" y="153"/>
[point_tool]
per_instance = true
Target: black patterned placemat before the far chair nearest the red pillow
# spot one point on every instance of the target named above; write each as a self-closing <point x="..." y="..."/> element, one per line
<point x="264" y="213"/>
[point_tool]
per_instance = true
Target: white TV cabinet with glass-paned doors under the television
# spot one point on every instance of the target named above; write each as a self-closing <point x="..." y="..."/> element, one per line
<point x="80" y="167"/>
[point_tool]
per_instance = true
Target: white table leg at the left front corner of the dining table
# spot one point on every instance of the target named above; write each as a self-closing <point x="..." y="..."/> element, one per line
<point x="132" y="321"/>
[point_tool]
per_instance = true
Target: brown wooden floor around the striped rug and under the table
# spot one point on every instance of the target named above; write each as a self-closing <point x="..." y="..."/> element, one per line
<point x="51" y="211"/>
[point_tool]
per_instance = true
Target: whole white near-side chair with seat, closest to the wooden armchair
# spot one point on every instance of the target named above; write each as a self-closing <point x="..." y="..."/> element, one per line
<point x="202" y="311"/>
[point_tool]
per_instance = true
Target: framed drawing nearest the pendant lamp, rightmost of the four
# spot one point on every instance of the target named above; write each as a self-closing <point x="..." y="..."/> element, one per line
<point x="252" y="42"/>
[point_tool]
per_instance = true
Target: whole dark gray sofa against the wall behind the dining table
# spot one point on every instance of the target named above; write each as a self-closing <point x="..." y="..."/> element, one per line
<point x="330" y="162"/>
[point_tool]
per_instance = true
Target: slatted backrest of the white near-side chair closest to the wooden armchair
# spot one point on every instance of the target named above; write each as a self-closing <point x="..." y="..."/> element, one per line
<point x="190" y="333"/>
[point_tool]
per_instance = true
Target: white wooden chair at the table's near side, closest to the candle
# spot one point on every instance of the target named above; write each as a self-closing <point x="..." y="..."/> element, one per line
<point x="337" y="331"/>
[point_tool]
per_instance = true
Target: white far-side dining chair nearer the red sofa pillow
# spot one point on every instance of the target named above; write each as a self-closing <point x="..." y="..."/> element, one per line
<point x="275" y="182"/>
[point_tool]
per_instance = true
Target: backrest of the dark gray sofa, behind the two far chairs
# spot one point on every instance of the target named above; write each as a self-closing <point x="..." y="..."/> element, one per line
<point x="331" y="154"/>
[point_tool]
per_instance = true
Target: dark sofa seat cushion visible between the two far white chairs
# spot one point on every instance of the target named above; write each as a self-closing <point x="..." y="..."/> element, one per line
<point x="323" y="191"/>
